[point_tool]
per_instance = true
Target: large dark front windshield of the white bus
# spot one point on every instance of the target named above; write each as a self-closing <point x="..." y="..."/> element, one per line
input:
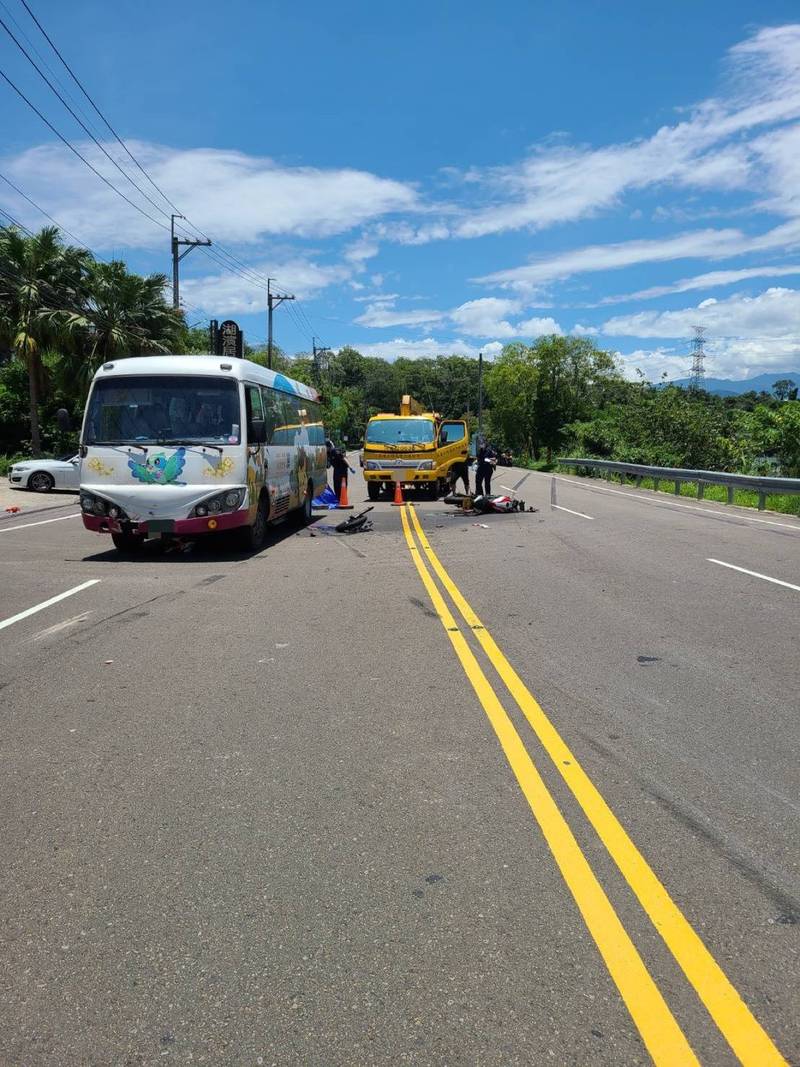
<point x="164" y="408"/>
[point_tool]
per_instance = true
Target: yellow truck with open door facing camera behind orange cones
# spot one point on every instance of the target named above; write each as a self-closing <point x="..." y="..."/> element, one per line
<point x="415" y="448"/>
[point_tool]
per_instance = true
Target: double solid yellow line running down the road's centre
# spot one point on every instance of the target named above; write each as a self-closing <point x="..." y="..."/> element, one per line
<point x="662" y="1034"/>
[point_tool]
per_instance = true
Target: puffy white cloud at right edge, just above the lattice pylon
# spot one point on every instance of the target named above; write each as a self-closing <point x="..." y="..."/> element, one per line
<point x="773" y="315"/>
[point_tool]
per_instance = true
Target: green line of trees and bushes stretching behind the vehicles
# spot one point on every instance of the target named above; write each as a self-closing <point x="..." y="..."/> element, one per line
<point x="63" y="313"/>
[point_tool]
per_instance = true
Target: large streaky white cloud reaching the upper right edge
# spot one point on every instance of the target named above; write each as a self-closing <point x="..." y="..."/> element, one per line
<point x="561" y="183"/>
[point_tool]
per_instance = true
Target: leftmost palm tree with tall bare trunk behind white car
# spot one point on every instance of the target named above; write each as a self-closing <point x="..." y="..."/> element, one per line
<point x="40" y="278"/>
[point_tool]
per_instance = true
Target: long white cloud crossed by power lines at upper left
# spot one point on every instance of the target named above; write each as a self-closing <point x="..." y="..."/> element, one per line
<point x="235" y="197"/>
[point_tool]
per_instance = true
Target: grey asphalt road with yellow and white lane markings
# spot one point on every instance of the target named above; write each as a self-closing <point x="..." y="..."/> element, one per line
<point x="437" y="794"/>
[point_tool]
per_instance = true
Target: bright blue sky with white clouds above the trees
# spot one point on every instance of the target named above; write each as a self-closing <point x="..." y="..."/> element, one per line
<point x="441" y="178"/>
